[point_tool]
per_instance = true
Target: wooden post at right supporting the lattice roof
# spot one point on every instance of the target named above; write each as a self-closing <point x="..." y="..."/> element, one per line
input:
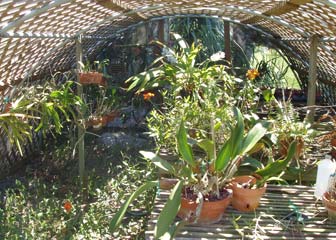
<point x="311" y="98"/>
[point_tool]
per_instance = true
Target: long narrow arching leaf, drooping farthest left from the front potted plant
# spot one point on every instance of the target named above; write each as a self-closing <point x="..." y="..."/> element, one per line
<point x="116" y="220"/>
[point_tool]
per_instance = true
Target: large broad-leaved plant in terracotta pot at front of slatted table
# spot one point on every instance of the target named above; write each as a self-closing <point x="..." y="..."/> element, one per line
<point x="201" y="194"/>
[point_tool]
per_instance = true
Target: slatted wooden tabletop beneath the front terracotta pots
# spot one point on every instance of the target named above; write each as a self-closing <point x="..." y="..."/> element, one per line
<point x="276" y="218"/>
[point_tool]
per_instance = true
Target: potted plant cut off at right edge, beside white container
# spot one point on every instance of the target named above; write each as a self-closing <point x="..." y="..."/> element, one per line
<point x="329" y="198"/>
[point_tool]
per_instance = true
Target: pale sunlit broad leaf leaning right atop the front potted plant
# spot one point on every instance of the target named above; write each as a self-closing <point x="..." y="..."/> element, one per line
<point x="253" y="137"/>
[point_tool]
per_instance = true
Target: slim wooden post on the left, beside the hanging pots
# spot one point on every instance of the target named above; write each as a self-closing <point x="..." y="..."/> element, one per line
<point x="81" y="129"/>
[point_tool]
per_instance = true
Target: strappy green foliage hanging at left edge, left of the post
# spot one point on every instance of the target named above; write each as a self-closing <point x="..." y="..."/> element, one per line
<point x="43" y="108"/>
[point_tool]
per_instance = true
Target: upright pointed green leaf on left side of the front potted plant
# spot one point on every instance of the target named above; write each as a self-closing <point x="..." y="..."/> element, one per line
<point x="183" y="146"/>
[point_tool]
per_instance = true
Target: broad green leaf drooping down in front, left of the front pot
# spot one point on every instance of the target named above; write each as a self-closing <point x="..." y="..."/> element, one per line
<point x="169" y="211"/>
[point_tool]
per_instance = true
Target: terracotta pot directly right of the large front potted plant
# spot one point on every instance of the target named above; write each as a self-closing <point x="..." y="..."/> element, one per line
<point x="246" y="199"/>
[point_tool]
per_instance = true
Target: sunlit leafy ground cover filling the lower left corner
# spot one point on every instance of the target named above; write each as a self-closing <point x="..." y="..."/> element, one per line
<point x="34" y="208"/>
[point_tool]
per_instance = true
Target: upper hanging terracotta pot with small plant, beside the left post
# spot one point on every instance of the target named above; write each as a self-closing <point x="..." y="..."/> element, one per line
<point x="93" y="74"/>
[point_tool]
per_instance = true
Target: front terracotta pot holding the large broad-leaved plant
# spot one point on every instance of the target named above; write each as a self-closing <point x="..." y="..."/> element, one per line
<point x="211" y="212"/>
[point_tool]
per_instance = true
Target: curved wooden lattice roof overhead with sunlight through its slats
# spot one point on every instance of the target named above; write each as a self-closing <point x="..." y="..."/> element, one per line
<point x="38" y="35"/>
